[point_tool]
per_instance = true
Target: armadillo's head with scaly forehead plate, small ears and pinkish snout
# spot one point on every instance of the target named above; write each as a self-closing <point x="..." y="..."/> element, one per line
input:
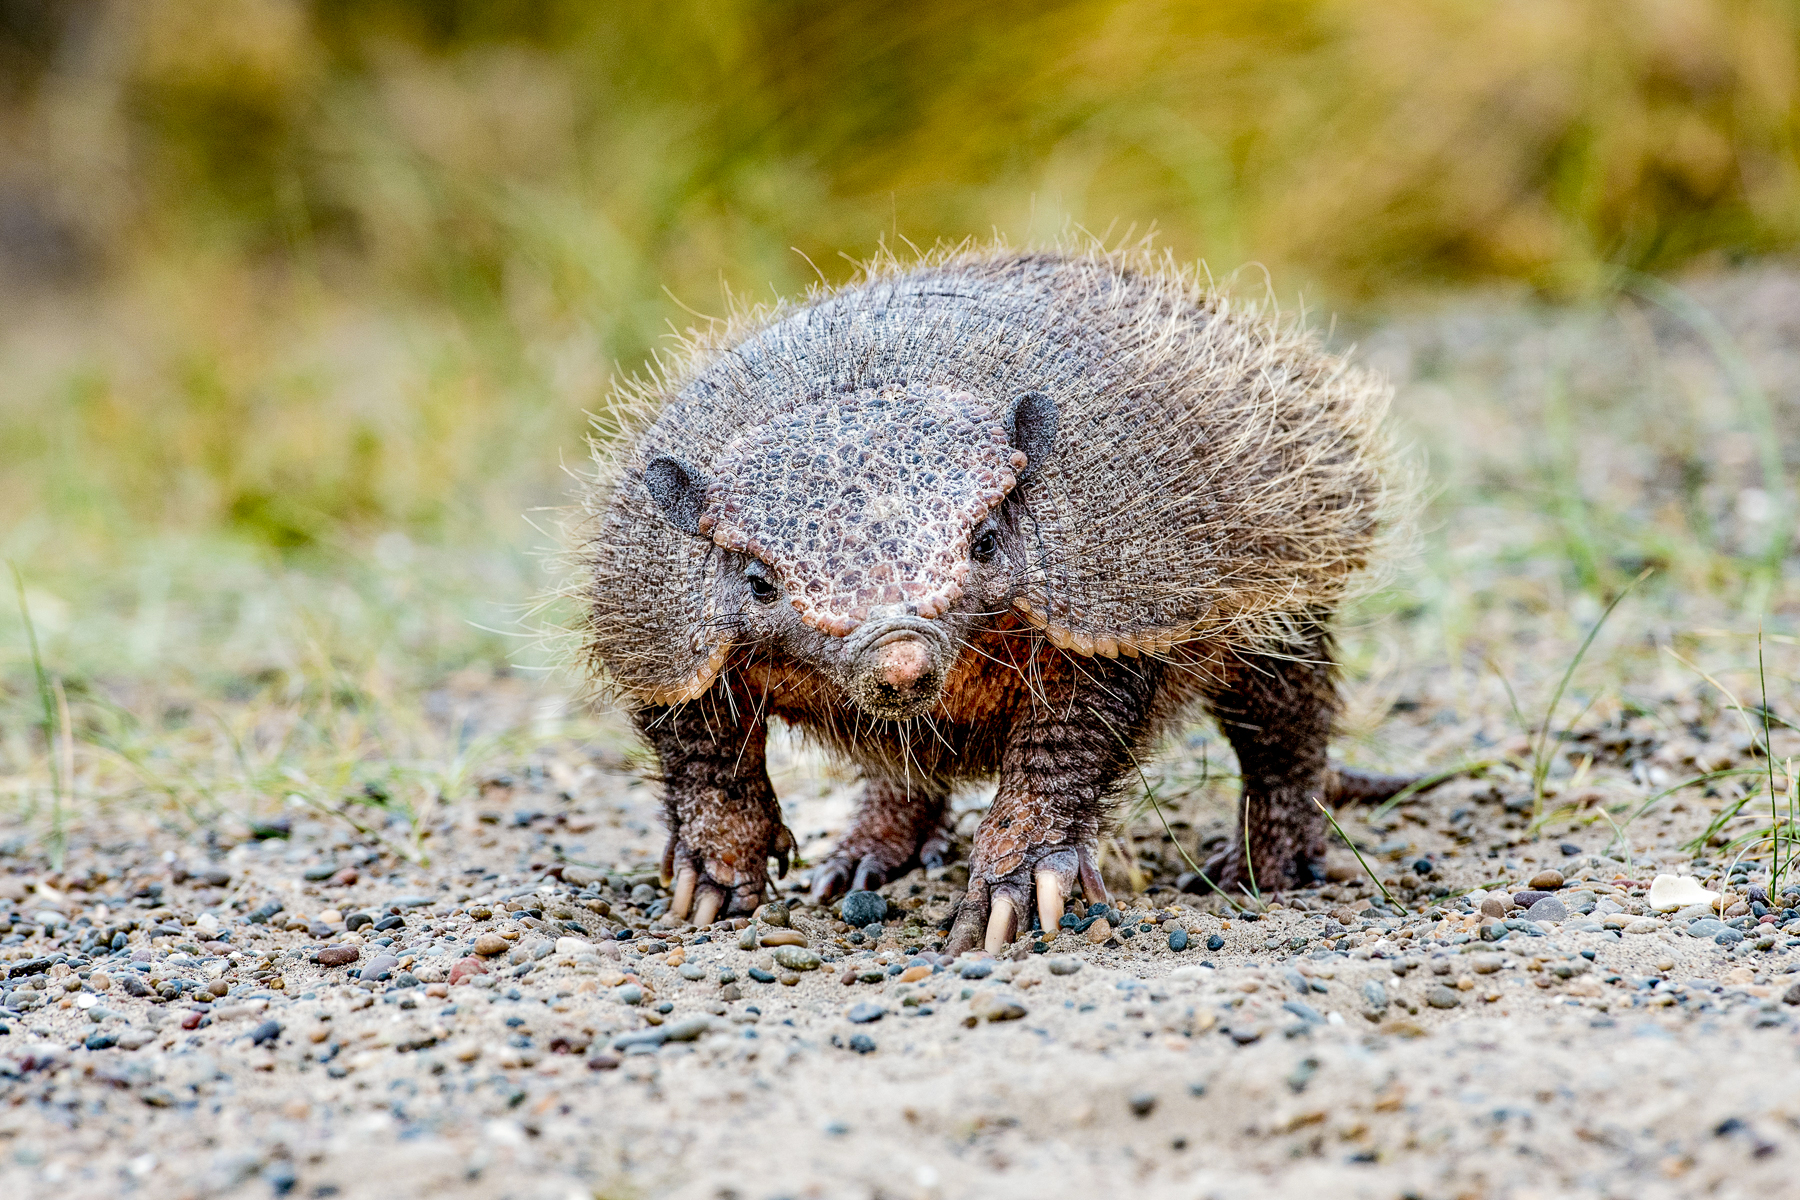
<point x="865" y="530"/>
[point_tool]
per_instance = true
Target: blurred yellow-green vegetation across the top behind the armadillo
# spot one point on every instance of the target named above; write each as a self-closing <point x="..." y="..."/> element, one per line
<point x="359" y="265"/>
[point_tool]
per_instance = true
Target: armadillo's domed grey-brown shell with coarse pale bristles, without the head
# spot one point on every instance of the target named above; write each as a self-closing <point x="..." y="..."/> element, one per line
<point x="1216" y="478"/>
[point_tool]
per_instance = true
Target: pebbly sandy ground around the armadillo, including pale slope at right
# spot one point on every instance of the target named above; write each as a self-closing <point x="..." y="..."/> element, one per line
<point x="201" y="1007"/>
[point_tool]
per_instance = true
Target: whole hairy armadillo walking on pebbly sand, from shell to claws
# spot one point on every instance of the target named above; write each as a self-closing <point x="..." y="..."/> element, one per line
<point x="985" y="515"/>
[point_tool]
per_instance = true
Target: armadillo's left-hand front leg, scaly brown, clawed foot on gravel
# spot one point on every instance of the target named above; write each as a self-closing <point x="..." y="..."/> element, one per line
<point x="723" y="814"/>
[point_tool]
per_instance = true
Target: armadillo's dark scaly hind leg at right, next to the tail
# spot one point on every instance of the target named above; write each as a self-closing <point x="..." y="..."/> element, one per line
<point x="1277" y="713"/>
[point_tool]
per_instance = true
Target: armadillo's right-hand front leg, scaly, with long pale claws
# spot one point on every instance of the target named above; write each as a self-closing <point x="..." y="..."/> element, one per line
<point x="1065" y="758"/>
